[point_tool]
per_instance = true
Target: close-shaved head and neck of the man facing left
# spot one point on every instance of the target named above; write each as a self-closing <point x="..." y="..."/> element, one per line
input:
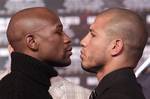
<point x="116" y="38"/>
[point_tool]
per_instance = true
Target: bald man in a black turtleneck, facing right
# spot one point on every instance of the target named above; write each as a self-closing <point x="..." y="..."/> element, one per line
<point x="39" y="43"/>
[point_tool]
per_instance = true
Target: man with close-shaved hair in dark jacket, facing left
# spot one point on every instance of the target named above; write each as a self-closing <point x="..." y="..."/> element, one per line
<point x="112" y="49"/>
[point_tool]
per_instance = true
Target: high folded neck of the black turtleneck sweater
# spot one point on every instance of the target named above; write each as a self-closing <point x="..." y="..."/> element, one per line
<point x="33" y="68"/>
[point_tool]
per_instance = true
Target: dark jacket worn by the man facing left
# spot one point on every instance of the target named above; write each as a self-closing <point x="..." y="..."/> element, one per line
<point x="119" y="84"/>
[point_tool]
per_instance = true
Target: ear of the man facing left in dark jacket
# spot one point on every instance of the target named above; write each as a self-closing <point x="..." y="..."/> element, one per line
<point x="117" y="47"/>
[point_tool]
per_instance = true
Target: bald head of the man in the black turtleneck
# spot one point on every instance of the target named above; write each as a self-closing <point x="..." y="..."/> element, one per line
<point x="38" y="32"/>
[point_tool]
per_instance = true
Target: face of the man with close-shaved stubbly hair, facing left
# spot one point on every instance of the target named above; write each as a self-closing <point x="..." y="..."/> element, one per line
<point x="94" y="48"/>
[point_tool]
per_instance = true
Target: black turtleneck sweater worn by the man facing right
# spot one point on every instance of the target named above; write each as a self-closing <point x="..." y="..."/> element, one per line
<point x="29" y="79"/>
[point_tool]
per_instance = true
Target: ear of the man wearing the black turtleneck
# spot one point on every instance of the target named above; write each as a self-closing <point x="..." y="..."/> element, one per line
<point x="31" y="42"/>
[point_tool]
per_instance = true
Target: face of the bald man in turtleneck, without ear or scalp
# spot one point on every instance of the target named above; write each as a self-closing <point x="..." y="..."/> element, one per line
<point x="54" y="45"/>
